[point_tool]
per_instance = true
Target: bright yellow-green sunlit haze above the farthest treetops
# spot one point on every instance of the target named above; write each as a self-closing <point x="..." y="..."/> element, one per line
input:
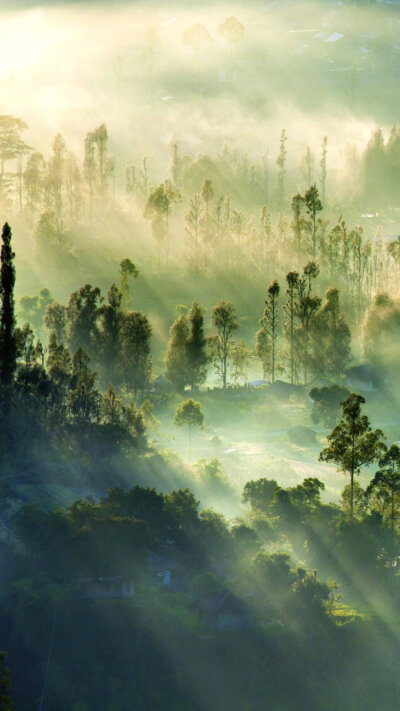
<point x="68" y="67"/>
